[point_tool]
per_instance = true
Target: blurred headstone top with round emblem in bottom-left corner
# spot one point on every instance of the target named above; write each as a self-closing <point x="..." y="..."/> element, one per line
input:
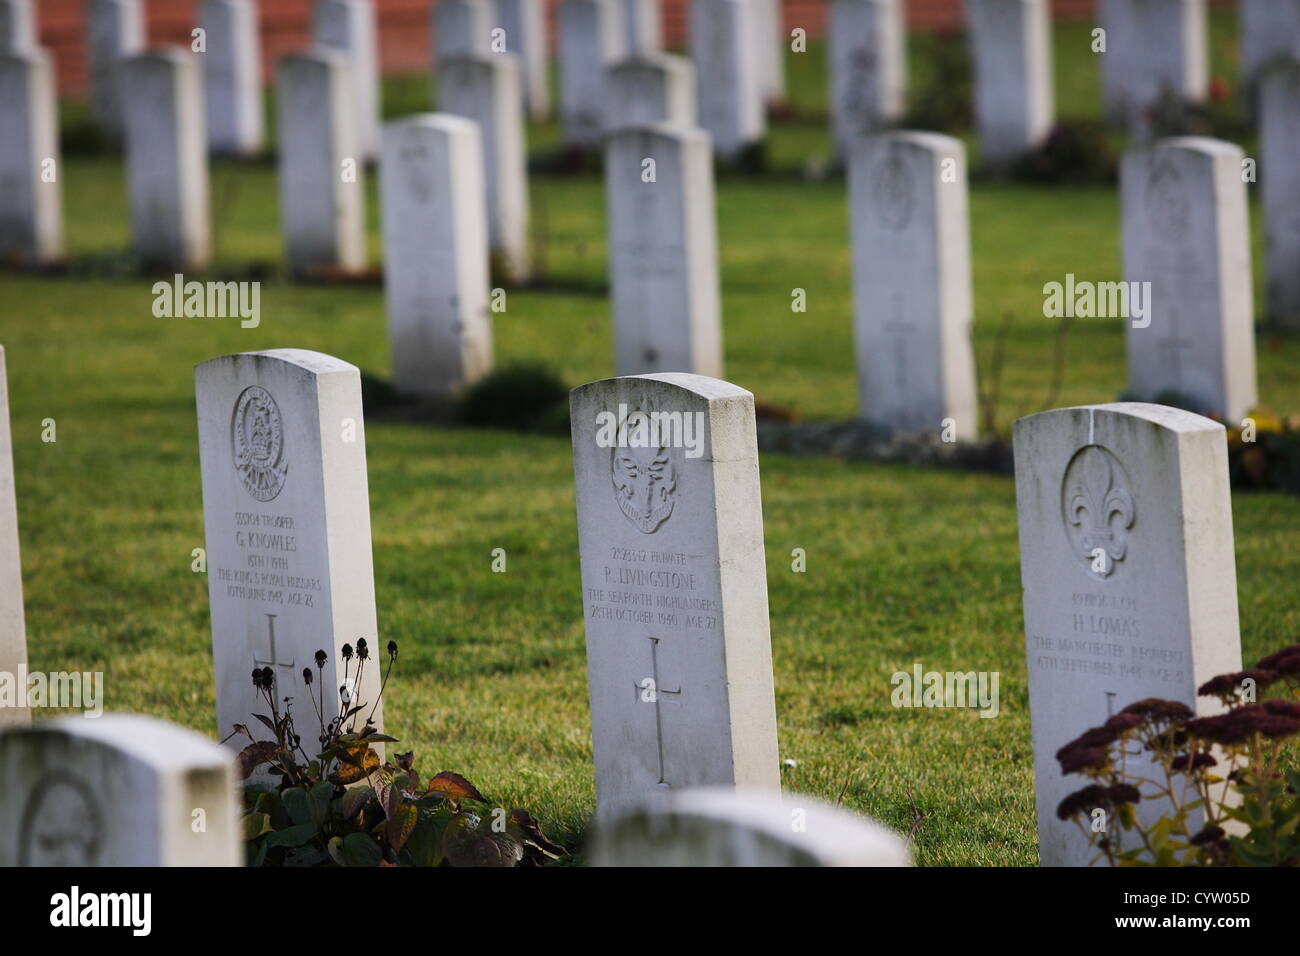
<point x="122" y="790"/>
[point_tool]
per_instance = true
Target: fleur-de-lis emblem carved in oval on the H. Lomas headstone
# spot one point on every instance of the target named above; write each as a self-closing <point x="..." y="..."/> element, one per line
<point x="1099" y="512"/>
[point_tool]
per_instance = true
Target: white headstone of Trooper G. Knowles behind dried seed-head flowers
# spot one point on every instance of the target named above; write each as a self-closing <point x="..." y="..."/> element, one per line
<point x="288" y="533"/>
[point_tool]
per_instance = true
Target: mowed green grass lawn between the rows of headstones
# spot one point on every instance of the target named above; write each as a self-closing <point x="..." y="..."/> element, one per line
<point x="904" y="565"/>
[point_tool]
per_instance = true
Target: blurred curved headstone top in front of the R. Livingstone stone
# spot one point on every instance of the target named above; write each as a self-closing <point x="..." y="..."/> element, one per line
<point x="713" y="827"/>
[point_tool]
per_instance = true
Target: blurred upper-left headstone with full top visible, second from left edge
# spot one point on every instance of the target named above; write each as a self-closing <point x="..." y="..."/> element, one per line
<point x="167" y="158"/>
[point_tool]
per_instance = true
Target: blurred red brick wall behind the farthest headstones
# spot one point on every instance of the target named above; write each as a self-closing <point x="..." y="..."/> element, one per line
<point x="405" y="27"/>
